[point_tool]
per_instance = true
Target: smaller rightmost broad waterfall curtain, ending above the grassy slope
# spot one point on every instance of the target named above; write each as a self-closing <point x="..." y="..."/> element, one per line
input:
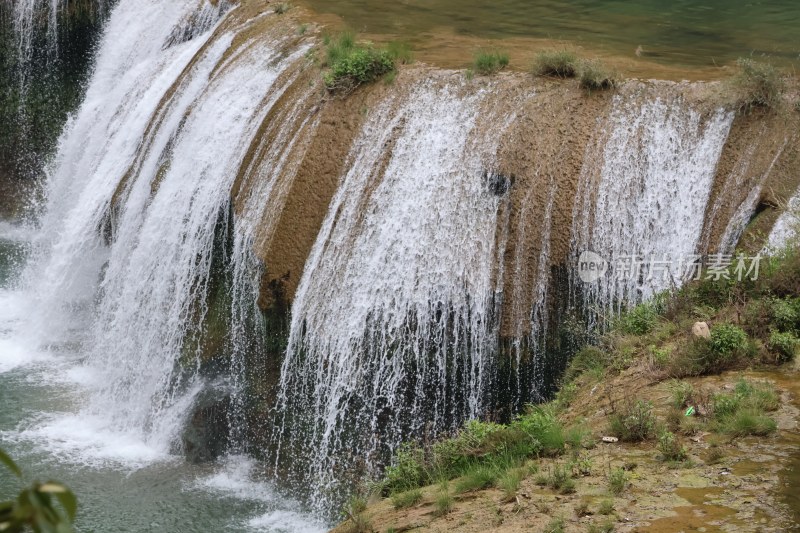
<point x="644" y="197"/>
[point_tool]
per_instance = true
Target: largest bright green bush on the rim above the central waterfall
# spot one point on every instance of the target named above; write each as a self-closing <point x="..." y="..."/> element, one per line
<point x="350" y="63"/>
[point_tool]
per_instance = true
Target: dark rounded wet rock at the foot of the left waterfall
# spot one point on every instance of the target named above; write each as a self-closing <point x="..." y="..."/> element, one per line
<point x="206" y="435"/>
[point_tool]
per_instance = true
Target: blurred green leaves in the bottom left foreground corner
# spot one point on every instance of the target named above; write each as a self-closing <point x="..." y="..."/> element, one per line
<point x="41" y="507"/>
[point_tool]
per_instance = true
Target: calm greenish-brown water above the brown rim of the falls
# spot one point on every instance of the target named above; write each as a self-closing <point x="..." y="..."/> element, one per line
<point x="675" y="32"/>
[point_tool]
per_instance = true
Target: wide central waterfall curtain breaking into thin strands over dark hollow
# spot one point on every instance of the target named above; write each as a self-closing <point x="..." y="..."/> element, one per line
<point x="393" y="327"/>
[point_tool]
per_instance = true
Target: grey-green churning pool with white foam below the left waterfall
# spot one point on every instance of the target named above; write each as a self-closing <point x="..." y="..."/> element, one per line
<point x="122" y="485"/>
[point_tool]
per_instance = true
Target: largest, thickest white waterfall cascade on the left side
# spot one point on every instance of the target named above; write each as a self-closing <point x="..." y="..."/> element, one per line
<point x="140" y="193"/>
